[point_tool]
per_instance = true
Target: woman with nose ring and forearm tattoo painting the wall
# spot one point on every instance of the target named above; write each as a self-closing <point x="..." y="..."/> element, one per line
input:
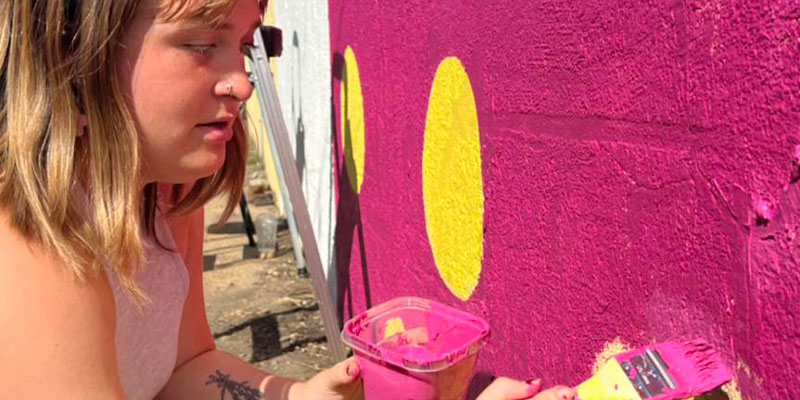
<point x="103" y="103"/>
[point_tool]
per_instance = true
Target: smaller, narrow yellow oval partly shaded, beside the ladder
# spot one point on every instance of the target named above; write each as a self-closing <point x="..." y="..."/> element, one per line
<point x="352" y="115"/>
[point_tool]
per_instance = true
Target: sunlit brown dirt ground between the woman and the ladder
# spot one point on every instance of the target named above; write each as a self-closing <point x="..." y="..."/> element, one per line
<point x="260" y="310"/>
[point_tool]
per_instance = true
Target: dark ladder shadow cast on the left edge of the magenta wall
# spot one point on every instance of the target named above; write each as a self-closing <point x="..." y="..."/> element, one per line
<point x="348" y="209"/>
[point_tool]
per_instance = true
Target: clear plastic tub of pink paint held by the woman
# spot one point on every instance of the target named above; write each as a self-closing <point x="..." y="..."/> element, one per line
<point x="415" y="349"/>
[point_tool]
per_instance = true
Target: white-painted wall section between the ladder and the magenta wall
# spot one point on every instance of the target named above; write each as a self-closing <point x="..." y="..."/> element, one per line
<point x="303" y="80"/>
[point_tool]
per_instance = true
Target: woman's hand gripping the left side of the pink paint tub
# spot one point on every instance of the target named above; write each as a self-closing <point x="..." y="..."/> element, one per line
<point x="340" y="382"/>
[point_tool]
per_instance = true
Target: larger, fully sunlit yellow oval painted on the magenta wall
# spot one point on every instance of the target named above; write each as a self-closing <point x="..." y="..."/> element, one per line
<point x="452" y="182"/>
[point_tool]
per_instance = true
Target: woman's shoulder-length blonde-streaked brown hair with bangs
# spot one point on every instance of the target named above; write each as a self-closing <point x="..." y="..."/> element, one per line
<point x="57" y="61"/>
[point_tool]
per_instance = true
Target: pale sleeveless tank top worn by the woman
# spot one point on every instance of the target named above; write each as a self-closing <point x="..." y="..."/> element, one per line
<point x="147" y="339"/>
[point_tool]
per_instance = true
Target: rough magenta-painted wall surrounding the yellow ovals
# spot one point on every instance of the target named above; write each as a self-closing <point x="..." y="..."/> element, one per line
<point x="626" y="147"/>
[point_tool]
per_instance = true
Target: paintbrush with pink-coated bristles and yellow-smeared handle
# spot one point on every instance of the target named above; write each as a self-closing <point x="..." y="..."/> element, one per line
<point x="664" y="371"/>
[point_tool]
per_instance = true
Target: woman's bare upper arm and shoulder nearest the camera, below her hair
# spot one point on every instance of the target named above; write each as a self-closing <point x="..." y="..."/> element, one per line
<point x="57" y="335"/>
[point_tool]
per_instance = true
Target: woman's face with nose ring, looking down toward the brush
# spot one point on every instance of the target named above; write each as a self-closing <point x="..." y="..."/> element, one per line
<point x="184" y="81"/>
